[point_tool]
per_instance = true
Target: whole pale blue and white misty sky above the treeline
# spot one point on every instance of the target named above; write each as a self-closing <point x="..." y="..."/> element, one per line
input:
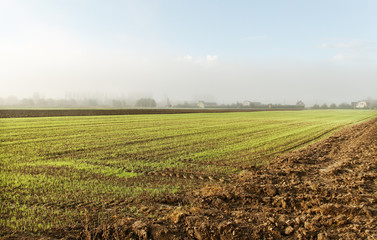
<point x="273" y="51"/>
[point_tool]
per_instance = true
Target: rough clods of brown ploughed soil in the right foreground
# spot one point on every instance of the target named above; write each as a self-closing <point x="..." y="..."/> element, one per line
<point x="327" y="190"/>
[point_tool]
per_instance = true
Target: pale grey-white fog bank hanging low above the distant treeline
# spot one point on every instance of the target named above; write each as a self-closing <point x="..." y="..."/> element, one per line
<point x="179" y="80"/>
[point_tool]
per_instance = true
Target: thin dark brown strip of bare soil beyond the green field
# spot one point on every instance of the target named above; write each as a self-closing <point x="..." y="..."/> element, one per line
<point x="13" y="113"/>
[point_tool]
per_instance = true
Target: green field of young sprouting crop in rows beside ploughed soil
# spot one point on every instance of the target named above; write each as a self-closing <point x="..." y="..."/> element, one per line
<point x="57" y="172"/>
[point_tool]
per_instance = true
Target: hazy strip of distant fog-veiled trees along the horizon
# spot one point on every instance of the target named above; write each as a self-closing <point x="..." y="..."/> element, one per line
<point x="106" y="101"/>
